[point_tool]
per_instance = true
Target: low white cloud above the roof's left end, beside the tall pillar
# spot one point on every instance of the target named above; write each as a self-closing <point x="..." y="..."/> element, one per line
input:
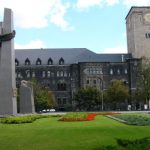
<point x="31" y="45"/>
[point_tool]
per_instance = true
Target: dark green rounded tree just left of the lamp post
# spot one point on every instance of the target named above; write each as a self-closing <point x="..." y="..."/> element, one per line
<point x="87" y="98"/>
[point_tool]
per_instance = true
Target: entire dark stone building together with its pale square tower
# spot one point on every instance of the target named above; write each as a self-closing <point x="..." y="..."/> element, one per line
<point x="66" y="70"/>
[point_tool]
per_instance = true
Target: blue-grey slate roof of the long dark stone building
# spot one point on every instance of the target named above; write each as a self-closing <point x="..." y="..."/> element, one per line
<point x="70" y="56"/>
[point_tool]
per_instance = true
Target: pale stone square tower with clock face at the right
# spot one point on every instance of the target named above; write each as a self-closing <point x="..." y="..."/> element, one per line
<point x="138" y="31"/>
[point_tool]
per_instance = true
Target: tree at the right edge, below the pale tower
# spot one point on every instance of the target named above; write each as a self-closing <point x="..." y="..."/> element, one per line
<point x="143" y="78"/>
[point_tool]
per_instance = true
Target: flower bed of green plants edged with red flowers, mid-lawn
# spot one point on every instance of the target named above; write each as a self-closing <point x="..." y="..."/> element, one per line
<point x="78" y="117"/>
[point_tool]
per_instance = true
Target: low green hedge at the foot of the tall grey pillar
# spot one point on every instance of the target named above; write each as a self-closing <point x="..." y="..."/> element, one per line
<point x="21" y="119"/>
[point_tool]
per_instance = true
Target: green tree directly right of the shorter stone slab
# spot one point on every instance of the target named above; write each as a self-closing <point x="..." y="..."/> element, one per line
<point x="43" y="97"/>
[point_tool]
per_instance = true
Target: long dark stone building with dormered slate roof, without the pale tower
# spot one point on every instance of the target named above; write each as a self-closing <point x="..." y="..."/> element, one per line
<point x="65" y="70"/>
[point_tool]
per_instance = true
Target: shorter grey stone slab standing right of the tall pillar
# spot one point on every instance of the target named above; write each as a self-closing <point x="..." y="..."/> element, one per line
<point x="26" y="97"/>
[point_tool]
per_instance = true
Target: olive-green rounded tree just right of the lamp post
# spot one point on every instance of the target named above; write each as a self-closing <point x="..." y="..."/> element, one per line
<point x="117" y="93"/>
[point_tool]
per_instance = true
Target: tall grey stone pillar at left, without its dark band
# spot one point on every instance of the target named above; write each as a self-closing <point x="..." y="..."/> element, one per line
<point x="8" y="104"/>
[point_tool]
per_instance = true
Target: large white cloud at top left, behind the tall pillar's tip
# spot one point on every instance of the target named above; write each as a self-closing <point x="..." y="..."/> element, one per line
<point x="37" y="13"/>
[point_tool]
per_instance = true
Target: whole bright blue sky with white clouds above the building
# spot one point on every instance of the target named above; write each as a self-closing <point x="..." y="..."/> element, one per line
<point x="98" y="25"/>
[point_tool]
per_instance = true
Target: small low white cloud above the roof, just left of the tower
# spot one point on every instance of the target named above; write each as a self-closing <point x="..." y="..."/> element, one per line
<point x="118" y="49"/>
